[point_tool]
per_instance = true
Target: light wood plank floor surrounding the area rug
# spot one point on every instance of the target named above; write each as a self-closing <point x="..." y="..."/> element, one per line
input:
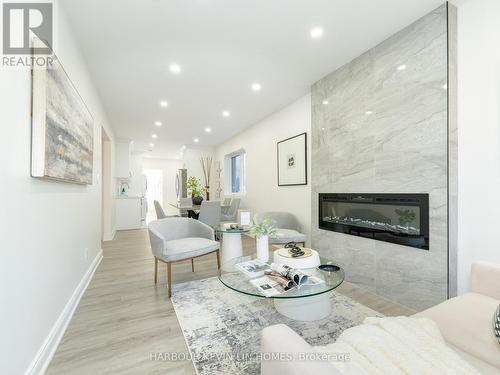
<point x="123" y="318"/>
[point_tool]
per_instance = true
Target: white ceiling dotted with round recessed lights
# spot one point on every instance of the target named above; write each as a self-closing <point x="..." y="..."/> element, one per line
<point x="222" y="46"/>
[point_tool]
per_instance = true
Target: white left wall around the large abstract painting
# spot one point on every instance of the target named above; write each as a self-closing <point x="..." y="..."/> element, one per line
<point x="45" y="226"/>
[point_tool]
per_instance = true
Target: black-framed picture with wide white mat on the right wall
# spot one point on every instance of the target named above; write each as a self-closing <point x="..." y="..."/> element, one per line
<point x="292" y="161"/>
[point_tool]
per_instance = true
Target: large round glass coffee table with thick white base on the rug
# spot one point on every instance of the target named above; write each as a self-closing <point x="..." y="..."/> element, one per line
<point x="307" y="303"/>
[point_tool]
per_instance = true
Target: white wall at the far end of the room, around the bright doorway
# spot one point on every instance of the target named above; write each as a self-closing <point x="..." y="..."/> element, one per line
<point x="169" y="168"/>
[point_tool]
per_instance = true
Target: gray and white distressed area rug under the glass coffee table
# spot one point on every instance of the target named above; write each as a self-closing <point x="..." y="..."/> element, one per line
<point x="222" y="327"/>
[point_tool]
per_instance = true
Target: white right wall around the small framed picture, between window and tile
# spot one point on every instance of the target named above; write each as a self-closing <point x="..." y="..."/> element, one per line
<point x="259" y="142"/>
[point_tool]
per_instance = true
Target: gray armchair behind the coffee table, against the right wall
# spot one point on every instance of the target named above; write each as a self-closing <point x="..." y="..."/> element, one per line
<point x="288" y="227"/>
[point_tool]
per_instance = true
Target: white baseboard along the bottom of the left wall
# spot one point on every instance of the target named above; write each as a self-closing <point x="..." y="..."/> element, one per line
<point x="44" y="355"/>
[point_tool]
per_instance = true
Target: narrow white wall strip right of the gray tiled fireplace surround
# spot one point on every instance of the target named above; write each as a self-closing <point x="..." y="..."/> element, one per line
<point x="478" y="135"/>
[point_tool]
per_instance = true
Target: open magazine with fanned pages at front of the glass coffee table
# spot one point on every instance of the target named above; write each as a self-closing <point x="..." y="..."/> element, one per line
<point x="279" y="278"/>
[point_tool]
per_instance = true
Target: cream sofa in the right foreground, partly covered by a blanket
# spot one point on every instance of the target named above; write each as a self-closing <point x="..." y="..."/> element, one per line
<point x="464" y="321"/>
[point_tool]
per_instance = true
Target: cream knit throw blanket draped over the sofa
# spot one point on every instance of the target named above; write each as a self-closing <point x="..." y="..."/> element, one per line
<point x="398" y="345"/>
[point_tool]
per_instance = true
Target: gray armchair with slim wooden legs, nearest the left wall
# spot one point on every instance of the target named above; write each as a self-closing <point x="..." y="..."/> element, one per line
<point x="178" y="238"/>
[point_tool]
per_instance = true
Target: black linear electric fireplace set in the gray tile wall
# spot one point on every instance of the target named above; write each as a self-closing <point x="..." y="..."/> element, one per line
<point x="396" y="218"/>
